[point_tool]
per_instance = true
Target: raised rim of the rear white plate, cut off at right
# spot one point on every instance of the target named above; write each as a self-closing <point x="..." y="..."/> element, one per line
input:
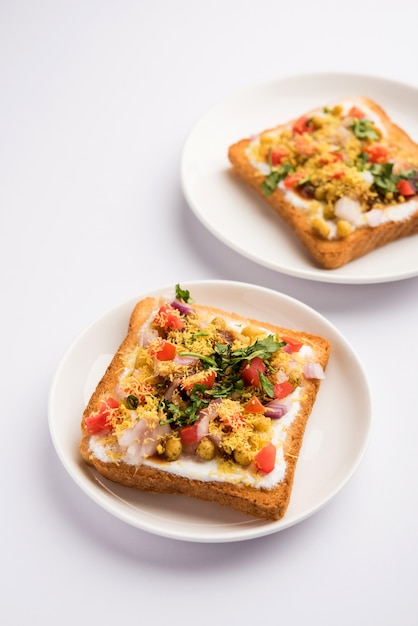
<point x="309" y="273"/>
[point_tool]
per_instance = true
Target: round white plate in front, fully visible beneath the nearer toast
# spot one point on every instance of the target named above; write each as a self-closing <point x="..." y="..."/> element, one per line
<point x="335" y="439"/>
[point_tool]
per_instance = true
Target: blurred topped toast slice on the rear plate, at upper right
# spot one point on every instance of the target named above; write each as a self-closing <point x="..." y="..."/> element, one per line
<point x="343" y="177"/>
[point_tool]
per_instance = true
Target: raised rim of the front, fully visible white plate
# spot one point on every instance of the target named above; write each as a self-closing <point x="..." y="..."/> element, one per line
<point x="231" y="534"/>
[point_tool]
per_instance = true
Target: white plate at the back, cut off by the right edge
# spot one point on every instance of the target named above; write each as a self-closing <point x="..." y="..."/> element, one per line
<point x="240" y="219"/>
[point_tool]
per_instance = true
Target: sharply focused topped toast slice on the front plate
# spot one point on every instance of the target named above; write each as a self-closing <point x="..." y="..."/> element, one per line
<point x="205" y="403"/>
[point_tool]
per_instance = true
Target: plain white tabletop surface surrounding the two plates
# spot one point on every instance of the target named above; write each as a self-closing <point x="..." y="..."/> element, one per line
<point x="97" y="99"/>
